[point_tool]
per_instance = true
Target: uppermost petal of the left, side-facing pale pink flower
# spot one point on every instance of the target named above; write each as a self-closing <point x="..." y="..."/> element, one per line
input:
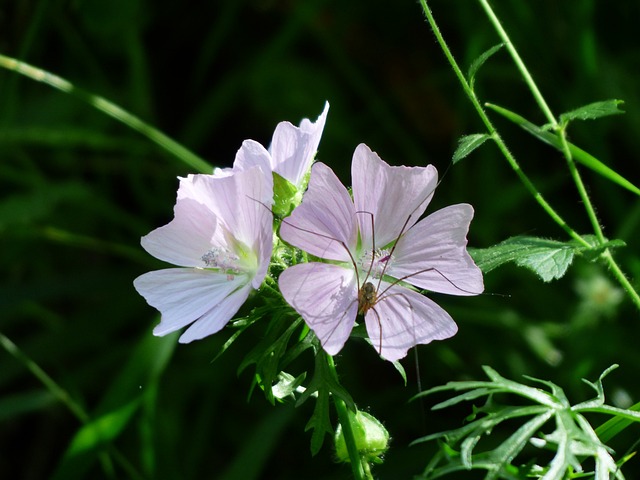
<point x="240" y="201"/>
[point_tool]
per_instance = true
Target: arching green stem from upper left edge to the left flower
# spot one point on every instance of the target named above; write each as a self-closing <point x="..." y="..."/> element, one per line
<point x="111" y="109"/>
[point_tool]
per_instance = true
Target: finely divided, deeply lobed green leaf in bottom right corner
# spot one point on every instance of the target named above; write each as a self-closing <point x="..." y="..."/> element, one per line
<point x="573" y="439"/>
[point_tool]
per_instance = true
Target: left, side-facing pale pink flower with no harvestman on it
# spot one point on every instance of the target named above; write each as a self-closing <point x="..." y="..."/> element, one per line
<point x="222" y="237"/>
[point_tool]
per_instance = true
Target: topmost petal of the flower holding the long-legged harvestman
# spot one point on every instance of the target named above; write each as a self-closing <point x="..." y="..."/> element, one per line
<point x="393" y="195"/>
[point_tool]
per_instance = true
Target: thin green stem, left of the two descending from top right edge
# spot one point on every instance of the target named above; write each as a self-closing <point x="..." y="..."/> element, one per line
<point x="494" y="133"/>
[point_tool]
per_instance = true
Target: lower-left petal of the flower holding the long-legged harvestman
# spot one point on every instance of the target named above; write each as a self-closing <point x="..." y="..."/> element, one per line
<point x="326" y="297"/>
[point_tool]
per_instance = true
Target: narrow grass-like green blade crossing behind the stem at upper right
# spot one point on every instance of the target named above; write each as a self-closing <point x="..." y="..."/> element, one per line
<point x="577" y="153"/>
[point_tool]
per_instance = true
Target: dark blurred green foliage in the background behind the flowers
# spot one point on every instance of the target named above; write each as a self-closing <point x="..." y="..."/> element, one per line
<point x="78" y="190"/>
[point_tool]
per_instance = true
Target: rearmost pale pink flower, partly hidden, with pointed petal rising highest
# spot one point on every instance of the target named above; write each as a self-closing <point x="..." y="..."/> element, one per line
<point x="290" y="154"/>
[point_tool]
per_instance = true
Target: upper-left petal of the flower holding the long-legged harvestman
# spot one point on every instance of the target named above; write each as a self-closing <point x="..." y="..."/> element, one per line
<point x="324" y="219"/>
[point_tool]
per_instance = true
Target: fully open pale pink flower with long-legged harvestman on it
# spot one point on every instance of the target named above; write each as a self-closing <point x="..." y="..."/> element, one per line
<point x="430" y="254"/>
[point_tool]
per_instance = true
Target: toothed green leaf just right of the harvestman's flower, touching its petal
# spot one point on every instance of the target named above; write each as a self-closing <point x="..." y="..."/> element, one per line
<point x="549" y="259"/>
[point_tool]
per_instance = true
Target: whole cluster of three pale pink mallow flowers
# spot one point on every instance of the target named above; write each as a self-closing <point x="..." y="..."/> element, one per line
<point x="369" y="252"/>
